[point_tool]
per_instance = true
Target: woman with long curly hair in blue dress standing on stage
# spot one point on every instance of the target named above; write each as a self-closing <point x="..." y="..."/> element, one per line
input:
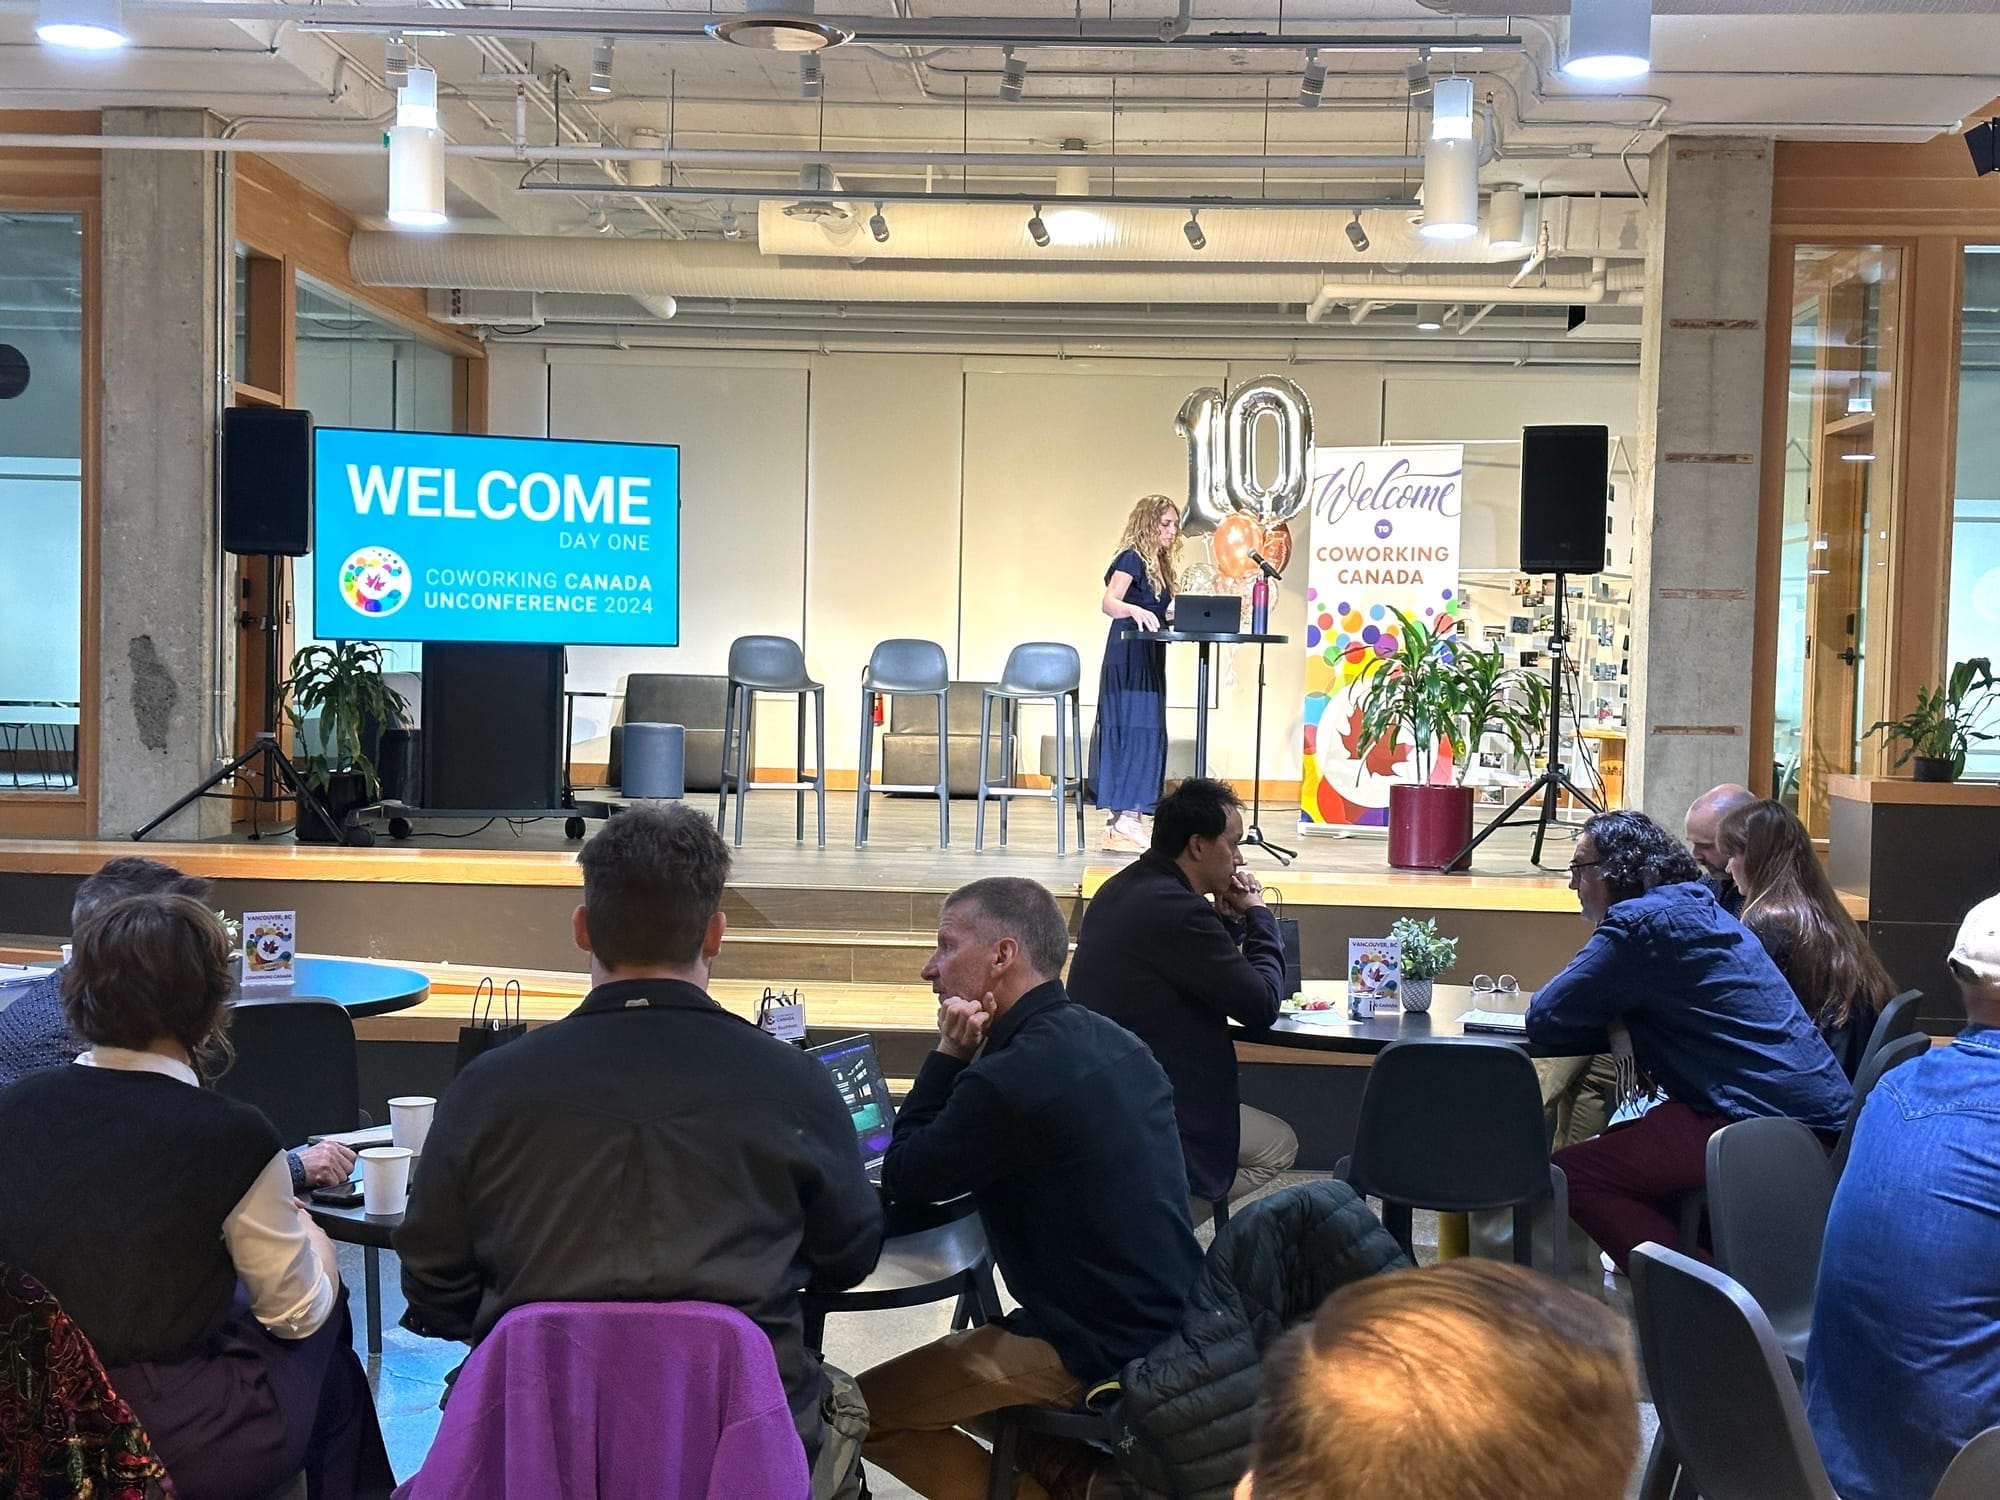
<point x="1129" y="753"/>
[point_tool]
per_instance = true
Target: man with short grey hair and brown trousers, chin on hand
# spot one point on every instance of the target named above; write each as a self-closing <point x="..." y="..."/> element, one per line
<point x="1063" y="1131"/>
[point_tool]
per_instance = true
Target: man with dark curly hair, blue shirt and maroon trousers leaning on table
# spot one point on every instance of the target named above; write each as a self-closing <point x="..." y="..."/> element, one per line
<point x="1711" y="1019"/>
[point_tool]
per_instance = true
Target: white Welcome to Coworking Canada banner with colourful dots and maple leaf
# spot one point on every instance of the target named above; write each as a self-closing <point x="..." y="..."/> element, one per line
<point x="1385" y="537"/>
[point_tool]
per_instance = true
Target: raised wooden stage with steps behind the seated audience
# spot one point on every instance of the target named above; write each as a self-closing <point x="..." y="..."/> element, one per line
<point x="851" y="929"/>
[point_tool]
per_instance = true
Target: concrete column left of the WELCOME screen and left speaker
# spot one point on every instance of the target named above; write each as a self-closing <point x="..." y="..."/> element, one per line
<point x="161" y="643"/>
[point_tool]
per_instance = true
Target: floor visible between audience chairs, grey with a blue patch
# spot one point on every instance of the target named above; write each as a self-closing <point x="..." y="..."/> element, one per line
<point x="411" y="1371"/>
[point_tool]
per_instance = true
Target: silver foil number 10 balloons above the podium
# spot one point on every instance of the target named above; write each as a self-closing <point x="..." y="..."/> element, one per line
<point x="1223" y="443"/>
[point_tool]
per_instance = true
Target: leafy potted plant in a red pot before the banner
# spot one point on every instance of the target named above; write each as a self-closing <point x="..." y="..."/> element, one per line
<point x="1443" y="695"/>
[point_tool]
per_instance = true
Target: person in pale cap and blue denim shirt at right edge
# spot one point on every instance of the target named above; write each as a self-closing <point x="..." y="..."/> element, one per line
<point x="1905" y="1359"/>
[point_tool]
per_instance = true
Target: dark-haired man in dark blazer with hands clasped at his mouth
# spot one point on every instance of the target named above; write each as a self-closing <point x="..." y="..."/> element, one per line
<point x="1173" y="969"/>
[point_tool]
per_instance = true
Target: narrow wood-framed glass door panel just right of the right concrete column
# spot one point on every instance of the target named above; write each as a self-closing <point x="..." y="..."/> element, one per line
<point x="1839" y="485"/>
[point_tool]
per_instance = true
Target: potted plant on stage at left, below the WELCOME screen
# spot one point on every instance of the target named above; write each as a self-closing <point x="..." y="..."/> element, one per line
<point x="341" y="689"/>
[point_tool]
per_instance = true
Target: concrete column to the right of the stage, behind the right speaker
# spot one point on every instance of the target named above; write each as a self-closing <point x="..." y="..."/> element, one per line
<point x="1701" y="423"/>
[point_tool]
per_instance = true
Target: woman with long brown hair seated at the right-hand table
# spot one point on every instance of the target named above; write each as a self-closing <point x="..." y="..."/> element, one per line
<point x="1791" y="907"/>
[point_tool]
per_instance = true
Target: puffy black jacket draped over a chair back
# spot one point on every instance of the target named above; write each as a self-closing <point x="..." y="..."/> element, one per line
<point x="1191" y="1405"/>
